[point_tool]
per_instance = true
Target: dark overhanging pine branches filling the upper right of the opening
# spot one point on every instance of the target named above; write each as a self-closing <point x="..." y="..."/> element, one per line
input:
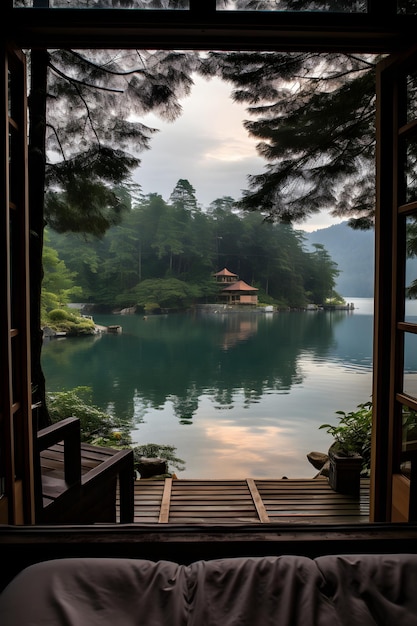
<point x="314" y="117"/>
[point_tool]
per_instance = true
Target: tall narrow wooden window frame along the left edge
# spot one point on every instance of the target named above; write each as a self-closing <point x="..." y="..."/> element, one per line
<point x="16" y="502"/>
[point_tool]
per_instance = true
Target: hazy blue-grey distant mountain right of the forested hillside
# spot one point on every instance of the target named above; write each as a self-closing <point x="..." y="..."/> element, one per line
<point x="353" y="251"/>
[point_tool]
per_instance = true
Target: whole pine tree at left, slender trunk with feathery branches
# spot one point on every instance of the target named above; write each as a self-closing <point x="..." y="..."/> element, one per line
<point x="84" y="135"/>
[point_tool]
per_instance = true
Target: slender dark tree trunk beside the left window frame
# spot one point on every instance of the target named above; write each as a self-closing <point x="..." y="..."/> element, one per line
<point x="37" y="164"/>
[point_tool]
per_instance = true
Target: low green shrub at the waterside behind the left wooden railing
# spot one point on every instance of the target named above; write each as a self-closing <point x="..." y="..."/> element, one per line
<point x="97" y="427"/>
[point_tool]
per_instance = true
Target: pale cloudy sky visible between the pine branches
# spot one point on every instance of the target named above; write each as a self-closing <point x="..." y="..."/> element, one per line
<point x="209" y="147"/>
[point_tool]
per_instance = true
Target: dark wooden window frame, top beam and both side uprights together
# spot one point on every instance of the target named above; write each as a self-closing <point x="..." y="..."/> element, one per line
<point x="381" y="30"/>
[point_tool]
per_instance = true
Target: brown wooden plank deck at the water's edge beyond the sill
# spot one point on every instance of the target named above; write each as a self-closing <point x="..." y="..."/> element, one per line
<point x="290" y="501"/>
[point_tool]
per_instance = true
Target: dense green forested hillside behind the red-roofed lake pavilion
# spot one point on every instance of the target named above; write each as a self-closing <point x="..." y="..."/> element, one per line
<point x="164" y="255"/>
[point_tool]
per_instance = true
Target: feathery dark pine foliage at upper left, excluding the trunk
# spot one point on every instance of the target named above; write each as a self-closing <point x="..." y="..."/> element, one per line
<point x="93" y="142"/>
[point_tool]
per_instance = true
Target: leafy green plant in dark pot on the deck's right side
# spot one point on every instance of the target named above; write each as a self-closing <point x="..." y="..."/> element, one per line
<point x="349" y="455"/>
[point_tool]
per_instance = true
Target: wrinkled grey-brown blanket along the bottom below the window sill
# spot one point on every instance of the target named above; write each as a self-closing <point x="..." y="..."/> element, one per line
<point x="285" y="590"/>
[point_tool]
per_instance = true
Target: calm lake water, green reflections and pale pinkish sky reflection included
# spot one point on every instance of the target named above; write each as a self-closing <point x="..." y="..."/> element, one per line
<point x="239" y="395"/>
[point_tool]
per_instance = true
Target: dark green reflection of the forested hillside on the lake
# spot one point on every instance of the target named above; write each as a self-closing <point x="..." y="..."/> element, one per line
<point x="179" y="357"/>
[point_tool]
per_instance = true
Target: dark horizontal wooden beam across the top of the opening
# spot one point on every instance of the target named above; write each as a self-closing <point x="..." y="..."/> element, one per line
<point x="377" y="31"/>
